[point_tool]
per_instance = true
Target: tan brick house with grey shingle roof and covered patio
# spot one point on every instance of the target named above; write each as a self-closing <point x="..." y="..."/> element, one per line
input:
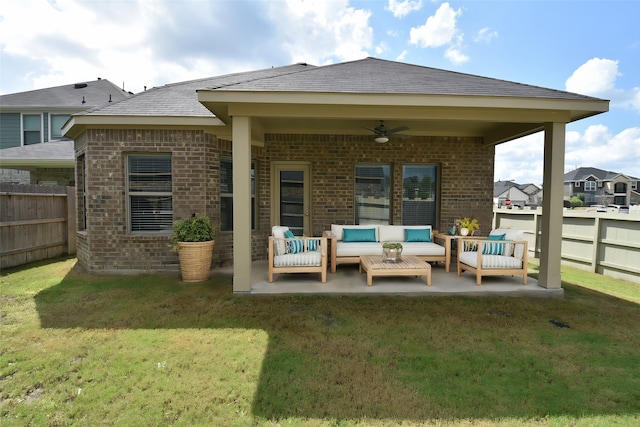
<point x="296" y="145"/>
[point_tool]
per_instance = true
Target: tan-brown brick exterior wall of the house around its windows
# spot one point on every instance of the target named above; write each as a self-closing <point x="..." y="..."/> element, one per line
<point x="466" y="186"/>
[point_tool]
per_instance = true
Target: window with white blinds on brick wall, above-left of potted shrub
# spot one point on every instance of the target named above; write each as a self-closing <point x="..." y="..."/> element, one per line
<point x="149" y="192"/>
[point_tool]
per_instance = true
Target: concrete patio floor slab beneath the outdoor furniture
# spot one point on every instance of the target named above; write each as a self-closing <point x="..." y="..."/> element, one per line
<point x="348" y="281"/>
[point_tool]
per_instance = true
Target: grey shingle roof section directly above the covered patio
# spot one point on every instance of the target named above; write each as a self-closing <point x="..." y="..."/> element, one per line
<point x="372" y="75"/>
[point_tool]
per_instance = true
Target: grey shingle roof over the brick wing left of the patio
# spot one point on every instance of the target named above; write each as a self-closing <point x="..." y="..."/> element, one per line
<point x="180" y="99"/>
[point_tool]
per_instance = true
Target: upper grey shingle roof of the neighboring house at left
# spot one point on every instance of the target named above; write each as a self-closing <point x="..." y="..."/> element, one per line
<point x="69" y="96"/>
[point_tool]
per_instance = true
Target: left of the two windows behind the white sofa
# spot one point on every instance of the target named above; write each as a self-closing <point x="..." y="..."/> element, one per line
<point x="372" y="189"/>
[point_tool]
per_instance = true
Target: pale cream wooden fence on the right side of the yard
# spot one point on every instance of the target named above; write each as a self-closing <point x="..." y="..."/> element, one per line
<point x="605" y="243"/>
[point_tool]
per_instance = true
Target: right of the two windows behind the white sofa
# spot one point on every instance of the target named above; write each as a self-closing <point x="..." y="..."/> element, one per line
<point x="419" y="194"/>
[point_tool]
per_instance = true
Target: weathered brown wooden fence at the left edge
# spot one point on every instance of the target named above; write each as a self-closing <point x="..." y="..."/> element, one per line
<point x="36" y="222"/>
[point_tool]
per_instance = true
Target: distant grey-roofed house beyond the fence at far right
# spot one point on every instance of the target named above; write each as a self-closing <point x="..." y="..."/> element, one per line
<point x="601" y="187"/>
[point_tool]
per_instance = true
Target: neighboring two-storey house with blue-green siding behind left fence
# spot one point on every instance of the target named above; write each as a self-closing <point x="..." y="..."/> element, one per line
<point x="31" y="122"/>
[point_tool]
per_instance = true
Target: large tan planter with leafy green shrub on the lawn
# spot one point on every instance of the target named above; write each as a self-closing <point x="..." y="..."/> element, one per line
<point x="193" y="239"/>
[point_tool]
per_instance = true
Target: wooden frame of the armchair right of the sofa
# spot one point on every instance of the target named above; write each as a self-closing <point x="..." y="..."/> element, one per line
<point x="479" y="271"/>
